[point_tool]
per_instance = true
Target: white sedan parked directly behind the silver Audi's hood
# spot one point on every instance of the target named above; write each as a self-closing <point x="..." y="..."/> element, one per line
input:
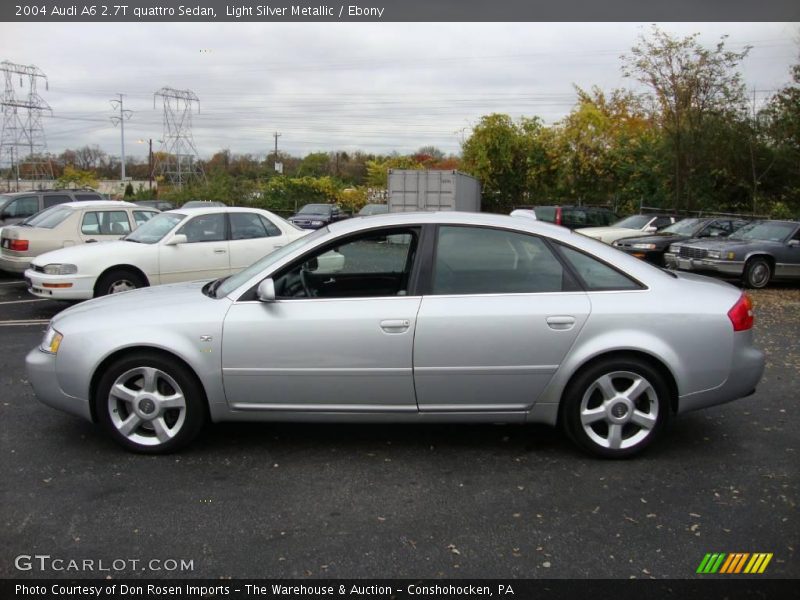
<point x="180" y="245"/>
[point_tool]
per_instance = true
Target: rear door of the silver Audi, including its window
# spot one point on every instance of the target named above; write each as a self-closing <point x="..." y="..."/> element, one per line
<point x="501" y="316"/>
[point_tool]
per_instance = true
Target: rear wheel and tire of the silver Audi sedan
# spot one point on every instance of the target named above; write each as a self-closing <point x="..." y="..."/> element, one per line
<point x="616" y="407"/>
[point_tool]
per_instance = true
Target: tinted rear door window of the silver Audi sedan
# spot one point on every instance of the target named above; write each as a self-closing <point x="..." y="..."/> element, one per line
<point x="477" y="260"/>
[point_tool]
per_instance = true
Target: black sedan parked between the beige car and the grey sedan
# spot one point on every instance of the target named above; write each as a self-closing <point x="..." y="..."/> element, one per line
<point x="652" y="247"/>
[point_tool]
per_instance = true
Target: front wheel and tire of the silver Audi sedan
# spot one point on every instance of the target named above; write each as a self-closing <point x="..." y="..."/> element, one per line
<point x="150" y="403"/>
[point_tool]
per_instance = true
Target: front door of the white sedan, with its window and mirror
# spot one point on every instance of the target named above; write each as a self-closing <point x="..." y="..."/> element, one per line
<point x="204" y="255"/>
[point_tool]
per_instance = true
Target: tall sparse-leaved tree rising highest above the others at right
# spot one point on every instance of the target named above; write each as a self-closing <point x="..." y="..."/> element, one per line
<point x="690" y="83"/>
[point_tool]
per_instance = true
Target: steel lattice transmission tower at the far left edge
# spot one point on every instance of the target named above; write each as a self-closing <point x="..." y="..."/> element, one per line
<point x="22" y="145"/>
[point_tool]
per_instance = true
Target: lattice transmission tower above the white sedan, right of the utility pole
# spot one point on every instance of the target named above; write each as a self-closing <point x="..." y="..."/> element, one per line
<point x="178" y="160"/>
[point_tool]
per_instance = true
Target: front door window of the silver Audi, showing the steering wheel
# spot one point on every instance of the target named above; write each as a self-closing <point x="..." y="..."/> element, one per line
<point x="361" y="266"/>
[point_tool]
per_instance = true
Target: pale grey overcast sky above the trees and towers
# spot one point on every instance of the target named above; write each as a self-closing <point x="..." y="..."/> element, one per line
<point x="377" y="87"/>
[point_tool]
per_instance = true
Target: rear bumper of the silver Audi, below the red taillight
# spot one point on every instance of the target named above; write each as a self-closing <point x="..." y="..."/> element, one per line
<point x="747" y="368"/>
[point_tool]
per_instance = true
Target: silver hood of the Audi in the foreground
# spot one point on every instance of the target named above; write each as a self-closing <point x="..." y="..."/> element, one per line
<point x="146" y="304"/>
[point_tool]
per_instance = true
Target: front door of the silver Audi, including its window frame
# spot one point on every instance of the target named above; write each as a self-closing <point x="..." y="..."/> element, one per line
<point x="336" y="339"/>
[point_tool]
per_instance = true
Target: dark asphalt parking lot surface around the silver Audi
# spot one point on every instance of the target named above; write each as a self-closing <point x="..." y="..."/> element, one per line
<point x="298" y="500"/>
